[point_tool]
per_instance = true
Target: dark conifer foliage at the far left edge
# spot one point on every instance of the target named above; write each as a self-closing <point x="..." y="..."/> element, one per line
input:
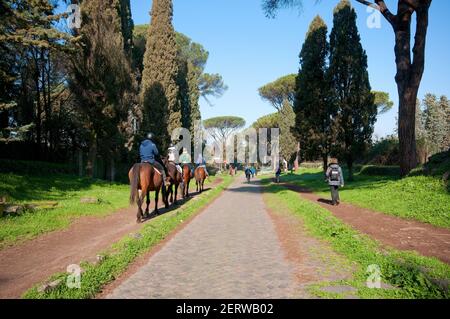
<point x="28" y="71"/>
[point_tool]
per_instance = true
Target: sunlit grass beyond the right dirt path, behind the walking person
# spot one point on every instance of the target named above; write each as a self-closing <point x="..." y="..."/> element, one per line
<point x="423" y="198"/>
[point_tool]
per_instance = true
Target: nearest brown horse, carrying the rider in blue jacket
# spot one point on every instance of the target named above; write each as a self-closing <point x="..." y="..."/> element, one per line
<point x="144" y="178"/>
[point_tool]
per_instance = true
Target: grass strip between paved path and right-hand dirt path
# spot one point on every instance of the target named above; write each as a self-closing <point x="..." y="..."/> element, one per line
<point x="412" y="275"/>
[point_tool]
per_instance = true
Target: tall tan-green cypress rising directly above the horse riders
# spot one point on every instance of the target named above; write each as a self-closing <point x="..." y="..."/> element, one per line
<point x="159" y="88"/>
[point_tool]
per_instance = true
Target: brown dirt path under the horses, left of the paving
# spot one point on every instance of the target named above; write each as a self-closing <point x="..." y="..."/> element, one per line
<point x="24" y="265"/>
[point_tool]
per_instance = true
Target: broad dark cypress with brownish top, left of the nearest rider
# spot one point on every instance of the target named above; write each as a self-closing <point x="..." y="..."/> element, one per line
<point x="101" y="79"/>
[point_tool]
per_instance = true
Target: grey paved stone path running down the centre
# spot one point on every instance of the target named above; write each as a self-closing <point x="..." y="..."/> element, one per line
<point x="231" y="250"/>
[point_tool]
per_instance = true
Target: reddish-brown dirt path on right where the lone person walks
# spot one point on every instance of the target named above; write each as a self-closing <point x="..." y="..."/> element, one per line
<point x="393" y="231"/>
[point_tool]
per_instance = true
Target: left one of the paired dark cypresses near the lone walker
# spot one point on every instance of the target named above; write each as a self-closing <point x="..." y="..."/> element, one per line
<point x="312" y="108"/>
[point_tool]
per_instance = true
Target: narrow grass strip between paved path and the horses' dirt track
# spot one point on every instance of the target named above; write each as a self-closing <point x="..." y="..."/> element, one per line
<point x="122" y="254"/>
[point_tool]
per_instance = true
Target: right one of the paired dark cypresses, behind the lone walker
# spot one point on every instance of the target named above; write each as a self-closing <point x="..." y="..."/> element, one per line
<point x="350" y="84"/>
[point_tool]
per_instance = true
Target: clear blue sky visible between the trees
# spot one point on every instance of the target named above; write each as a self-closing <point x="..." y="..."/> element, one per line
<point x="250" y="50"/>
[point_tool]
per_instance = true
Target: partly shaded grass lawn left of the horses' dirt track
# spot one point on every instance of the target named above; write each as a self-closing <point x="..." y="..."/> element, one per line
<point x="66" y="190"/>
